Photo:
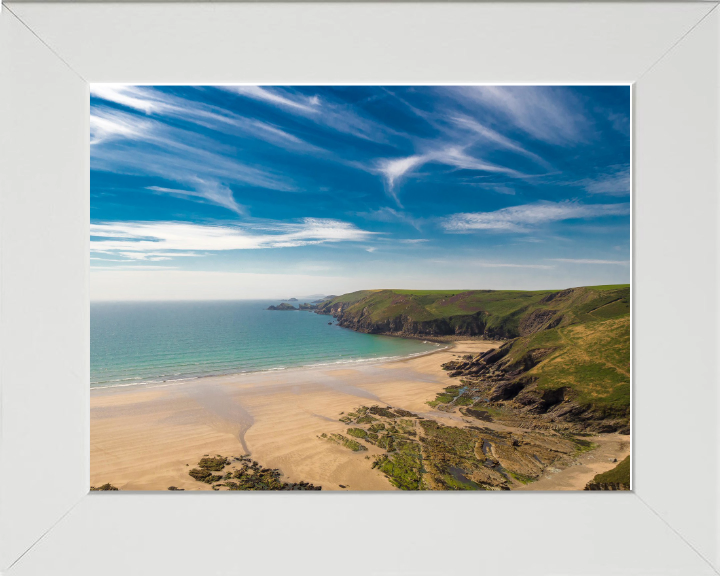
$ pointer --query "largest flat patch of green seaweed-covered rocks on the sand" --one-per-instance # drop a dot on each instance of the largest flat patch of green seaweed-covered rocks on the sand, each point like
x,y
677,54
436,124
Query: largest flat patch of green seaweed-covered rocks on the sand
x,y
417,452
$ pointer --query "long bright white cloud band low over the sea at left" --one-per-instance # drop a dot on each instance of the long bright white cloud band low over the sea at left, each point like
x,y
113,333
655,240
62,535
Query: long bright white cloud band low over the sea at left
x,y
136,240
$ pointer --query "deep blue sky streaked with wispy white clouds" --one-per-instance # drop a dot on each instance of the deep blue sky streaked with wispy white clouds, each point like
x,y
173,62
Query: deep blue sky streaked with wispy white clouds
x,y
201,192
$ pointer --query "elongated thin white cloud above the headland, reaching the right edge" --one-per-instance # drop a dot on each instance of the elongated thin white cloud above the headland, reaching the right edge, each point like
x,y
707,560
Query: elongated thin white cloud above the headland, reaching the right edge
x,y
523,218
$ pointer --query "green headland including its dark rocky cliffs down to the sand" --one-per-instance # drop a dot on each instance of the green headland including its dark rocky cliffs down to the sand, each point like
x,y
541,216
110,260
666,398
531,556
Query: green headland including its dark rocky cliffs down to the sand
x,y
564,365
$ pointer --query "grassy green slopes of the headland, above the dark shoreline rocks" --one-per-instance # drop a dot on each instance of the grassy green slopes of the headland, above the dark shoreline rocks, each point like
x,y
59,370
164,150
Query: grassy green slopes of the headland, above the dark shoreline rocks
x,y
582,335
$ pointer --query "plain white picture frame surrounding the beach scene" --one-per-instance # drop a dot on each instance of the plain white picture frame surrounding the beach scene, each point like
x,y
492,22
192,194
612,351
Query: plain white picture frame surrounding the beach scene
x,y
49,523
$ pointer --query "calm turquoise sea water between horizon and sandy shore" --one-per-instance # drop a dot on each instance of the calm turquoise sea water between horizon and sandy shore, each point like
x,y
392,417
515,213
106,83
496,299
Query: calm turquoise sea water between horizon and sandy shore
x,y
148,342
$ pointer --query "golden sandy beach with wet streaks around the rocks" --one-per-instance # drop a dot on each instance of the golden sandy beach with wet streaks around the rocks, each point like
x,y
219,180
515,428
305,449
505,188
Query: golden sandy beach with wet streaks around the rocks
x,y
147,437
